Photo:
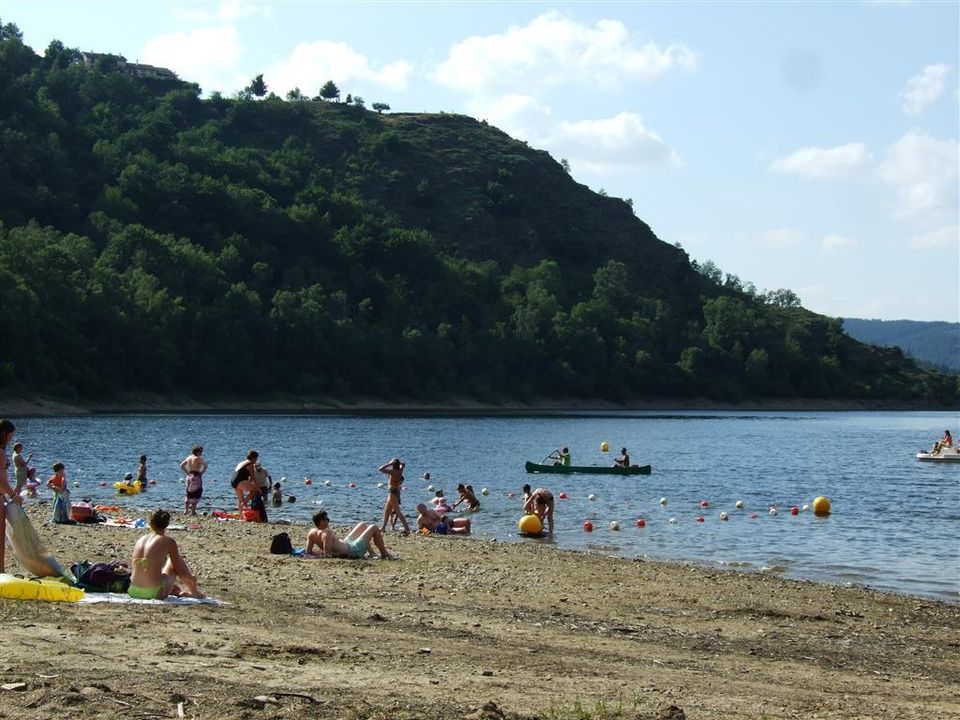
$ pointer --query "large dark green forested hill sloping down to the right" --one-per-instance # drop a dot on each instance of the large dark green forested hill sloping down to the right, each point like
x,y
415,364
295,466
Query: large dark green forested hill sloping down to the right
x,y
155,241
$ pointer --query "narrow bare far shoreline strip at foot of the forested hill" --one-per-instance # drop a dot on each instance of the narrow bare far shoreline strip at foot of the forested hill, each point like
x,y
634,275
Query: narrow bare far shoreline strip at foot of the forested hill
x,y
138,404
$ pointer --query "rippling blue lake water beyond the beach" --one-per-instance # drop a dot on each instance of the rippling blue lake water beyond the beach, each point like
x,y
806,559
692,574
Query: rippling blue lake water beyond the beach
x,y
894,526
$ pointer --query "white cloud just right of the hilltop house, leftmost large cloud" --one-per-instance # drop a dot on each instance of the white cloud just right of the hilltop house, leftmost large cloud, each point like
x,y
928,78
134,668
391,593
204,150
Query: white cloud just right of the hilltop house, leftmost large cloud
x,y
207,56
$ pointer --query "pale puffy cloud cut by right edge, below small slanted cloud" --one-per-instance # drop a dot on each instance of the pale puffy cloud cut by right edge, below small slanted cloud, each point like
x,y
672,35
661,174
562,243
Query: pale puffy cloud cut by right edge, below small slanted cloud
x,y
924,172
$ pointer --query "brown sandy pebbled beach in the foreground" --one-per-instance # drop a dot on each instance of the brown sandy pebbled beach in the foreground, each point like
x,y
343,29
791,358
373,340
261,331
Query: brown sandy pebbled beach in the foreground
x,y
468,628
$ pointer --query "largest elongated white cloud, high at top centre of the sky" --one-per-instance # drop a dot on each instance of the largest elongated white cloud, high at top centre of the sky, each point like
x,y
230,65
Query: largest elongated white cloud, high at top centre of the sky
x,y
553,50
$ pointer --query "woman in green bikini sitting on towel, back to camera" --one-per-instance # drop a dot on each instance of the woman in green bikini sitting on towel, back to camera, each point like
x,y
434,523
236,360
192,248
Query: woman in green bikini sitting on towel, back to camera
x,y
157,565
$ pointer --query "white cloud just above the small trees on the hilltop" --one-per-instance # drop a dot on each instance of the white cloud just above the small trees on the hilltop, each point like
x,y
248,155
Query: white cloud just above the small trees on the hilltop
x,y
310,65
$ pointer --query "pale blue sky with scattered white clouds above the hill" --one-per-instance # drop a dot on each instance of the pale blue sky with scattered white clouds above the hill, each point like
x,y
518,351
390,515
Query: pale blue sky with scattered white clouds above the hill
x,y
809,146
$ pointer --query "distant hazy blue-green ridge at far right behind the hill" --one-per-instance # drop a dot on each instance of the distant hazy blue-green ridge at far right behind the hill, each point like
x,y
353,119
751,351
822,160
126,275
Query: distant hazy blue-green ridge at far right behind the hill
x,y
936,344
